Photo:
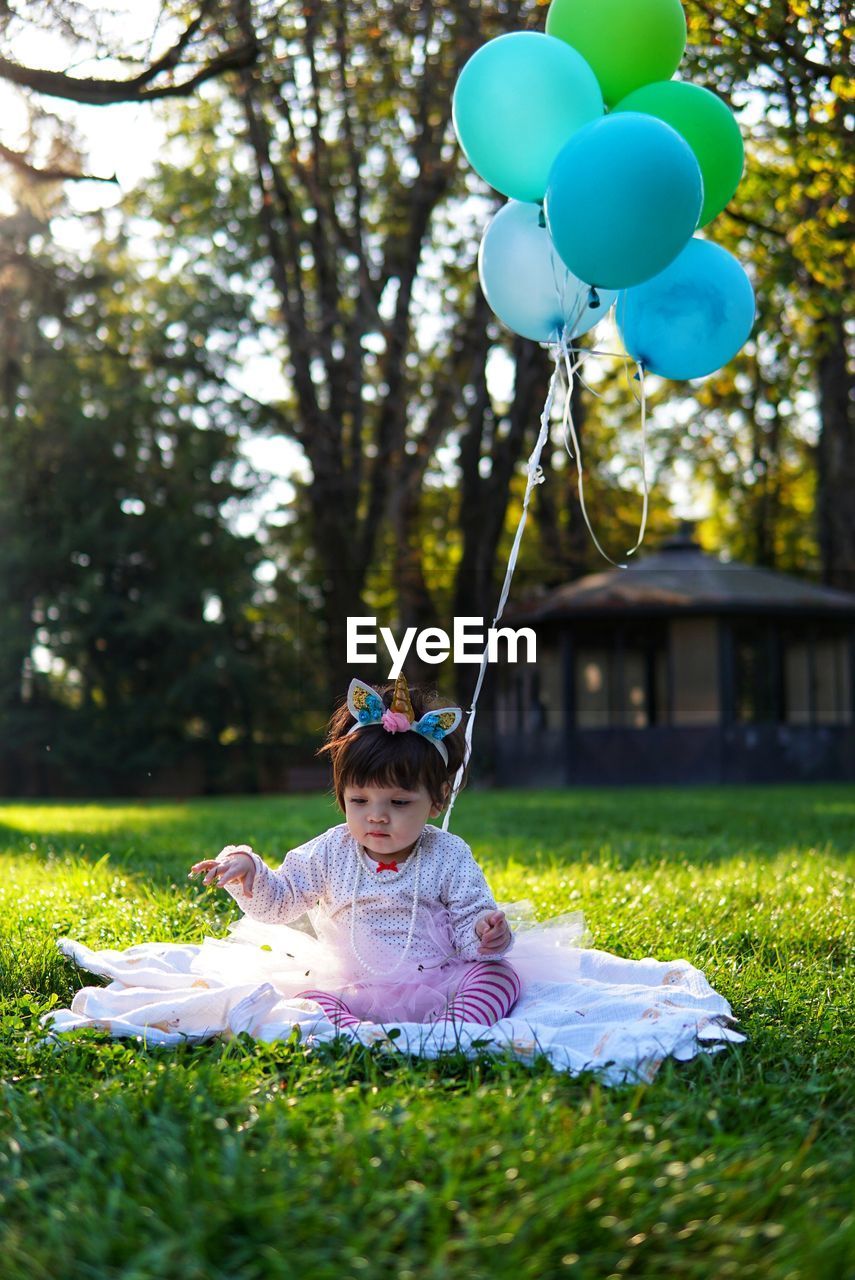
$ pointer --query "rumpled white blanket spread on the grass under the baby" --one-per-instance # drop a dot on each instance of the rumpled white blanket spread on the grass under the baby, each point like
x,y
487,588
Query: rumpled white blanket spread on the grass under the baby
x,y
618,1017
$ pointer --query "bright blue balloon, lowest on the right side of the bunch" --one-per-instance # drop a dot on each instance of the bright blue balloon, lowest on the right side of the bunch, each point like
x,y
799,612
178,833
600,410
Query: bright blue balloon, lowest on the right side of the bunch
x,y
691,319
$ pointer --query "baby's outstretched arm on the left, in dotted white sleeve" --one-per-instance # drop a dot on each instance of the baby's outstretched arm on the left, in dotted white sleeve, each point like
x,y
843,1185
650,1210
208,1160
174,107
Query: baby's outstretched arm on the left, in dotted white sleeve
x,y
284,895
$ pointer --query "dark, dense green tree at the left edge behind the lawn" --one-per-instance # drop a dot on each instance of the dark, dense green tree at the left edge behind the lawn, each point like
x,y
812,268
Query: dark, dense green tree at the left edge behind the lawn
x,y
131,641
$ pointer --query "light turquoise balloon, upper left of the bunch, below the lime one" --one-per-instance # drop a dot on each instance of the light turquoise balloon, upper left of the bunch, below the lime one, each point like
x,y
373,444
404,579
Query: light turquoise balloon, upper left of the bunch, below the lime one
x,y
516,103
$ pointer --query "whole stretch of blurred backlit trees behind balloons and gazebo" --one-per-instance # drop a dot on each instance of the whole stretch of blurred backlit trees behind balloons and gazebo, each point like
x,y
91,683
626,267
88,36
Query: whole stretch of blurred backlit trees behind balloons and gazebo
x,y
300,271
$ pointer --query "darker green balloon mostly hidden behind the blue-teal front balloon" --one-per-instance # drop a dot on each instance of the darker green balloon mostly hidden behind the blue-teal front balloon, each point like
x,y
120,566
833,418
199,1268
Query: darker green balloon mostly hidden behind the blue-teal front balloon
x,y
710,129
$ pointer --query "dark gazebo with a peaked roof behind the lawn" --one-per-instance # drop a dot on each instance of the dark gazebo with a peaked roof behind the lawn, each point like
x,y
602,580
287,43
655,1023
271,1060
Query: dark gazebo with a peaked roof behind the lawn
x,y
682,669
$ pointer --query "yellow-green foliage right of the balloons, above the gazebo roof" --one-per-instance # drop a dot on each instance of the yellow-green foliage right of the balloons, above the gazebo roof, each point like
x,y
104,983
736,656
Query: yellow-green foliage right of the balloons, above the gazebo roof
x,y
753,437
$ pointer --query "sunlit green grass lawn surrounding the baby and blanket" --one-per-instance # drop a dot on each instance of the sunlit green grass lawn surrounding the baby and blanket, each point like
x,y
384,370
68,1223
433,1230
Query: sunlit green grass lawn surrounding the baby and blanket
x,y
266,1162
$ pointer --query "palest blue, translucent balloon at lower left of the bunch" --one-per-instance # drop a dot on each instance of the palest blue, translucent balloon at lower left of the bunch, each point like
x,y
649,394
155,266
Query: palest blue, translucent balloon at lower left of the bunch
x,y
528,285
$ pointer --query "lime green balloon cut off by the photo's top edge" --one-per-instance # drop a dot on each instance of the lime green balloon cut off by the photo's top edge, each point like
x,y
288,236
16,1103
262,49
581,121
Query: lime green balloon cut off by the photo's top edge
x,y
628,43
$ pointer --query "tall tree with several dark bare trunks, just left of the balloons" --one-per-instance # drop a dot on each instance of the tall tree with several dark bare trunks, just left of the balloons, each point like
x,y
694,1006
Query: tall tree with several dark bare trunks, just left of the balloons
x,y
372,223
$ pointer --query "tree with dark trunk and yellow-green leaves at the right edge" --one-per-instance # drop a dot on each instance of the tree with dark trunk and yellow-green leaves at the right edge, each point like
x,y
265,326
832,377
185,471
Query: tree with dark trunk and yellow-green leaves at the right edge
x,y
792,221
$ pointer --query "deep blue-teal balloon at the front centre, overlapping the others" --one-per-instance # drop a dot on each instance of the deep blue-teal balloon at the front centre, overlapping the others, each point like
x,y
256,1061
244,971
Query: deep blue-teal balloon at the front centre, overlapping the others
x,y
624,198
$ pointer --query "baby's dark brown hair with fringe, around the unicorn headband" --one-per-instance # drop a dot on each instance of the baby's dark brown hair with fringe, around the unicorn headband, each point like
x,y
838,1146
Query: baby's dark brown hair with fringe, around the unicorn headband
x,y
373,757
